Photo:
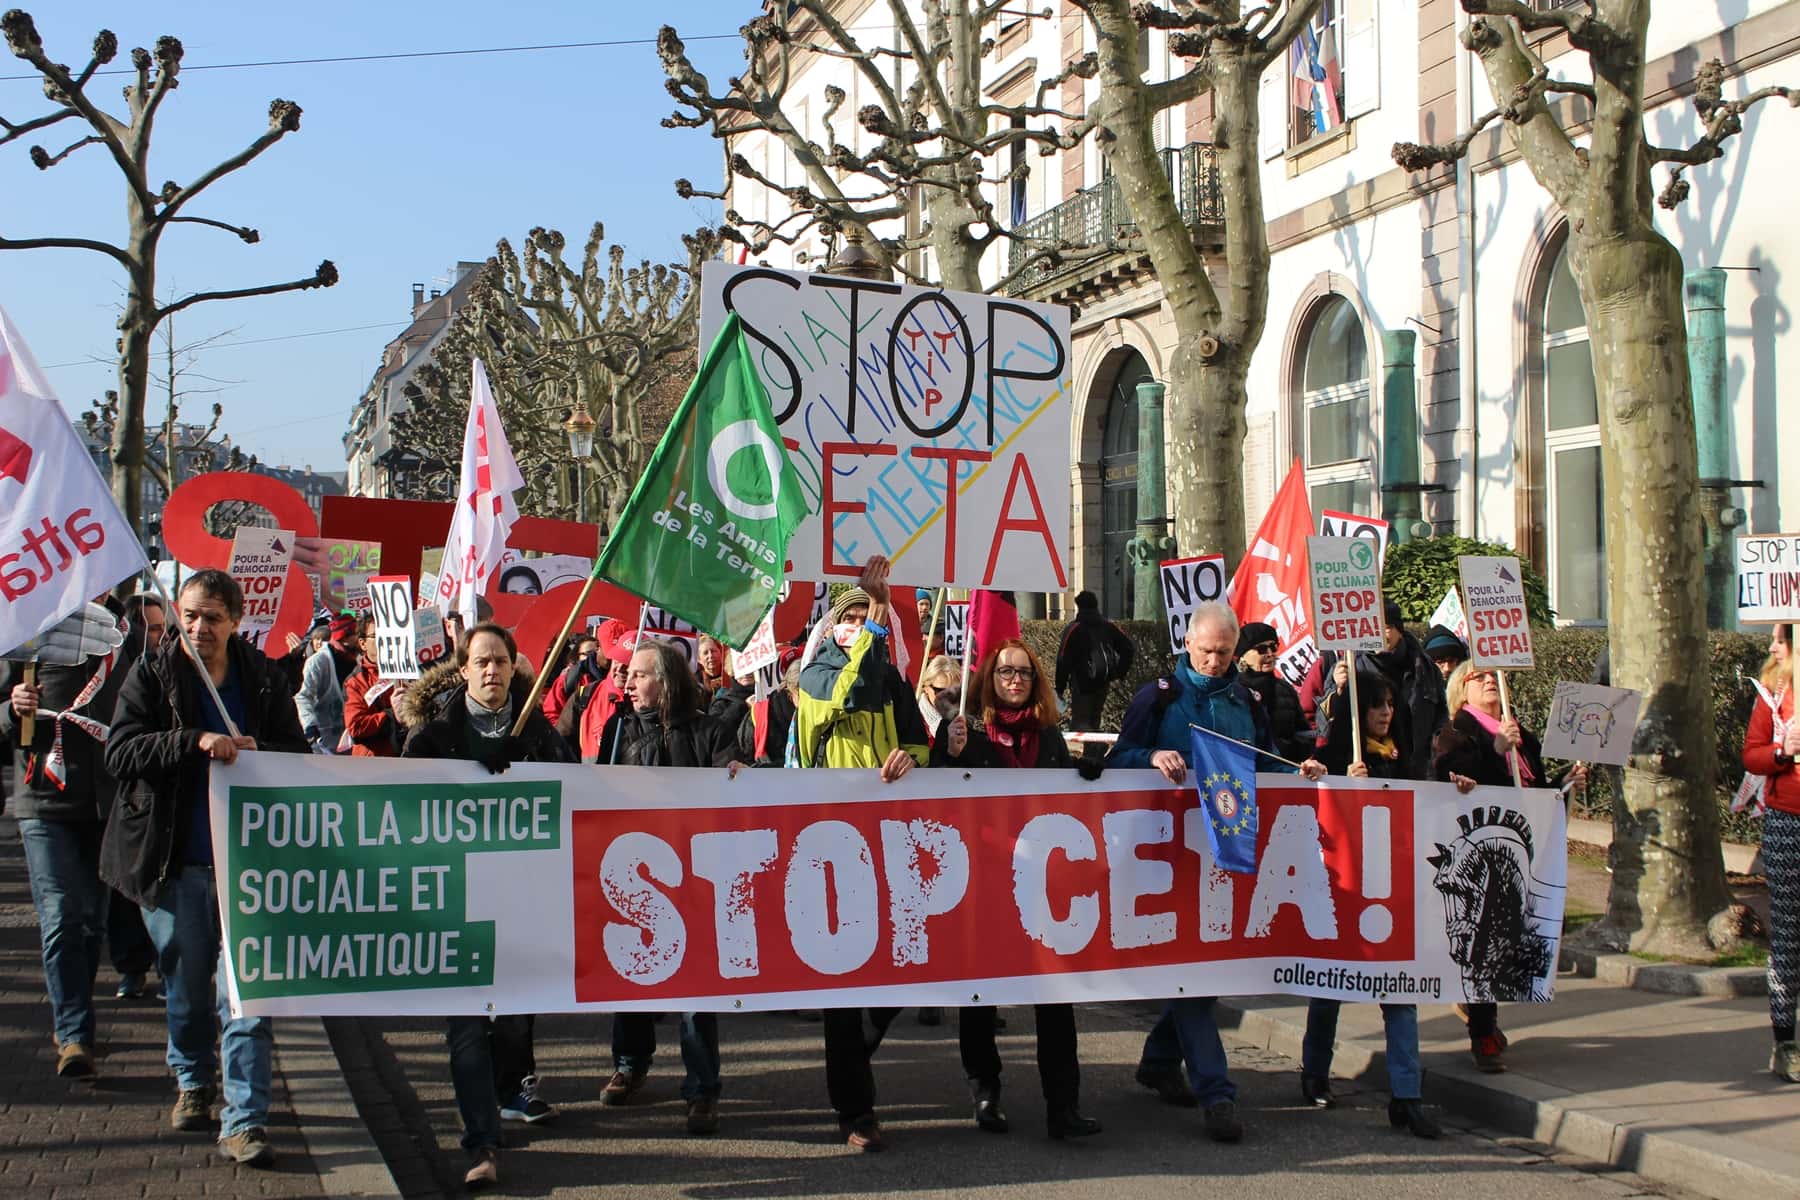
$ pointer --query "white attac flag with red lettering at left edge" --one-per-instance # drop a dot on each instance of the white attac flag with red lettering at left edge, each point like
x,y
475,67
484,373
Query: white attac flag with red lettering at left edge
x,y
62,539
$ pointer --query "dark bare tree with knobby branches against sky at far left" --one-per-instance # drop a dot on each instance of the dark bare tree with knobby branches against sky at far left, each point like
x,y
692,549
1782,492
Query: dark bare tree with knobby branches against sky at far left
x,y
152,210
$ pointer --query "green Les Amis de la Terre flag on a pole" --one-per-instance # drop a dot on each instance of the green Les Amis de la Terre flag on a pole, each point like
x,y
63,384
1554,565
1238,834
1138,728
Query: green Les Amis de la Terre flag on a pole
x,y
706,530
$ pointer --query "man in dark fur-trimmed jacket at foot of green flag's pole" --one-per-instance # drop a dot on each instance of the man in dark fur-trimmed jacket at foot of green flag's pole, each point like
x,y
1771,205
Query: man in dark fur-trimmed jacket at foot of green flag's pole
x,y
474,722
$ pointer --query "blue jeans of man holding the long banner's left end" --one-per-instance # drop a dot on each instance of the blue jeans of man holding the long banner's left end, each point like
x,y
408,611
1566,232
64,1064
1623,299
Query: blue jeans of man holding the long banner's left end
x,y
192,958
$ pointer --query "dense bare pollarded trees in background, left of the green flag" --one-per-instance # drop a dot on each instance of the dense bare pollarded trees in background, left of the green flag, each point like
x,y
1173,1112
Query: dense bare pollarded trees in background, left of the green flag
x,y
600,337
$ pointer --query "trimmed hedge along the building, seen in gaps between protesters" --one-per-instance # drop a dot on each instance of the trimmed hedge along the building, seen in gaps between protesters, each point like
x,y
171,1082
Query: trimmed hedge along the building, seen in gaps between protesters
x,y
1734,661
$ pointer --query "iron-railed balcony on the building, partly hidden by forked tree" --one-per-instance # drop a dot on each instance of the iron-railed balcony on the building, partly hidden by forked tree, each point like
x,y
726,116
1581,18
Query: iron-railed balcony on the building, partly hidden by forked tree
x,y
1099,215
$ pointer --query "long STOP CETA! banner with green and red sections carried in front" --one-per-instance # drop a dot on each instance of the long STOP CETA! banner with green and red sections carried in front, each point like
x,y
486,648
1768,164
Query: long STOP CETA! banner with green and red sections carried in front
x,y
391,886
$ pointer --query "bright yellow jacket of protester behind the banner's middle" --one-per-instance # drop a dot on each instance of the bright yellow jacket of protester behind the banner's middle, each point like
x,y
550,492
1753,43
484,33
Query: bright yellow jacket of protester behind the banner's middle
x,y
854,710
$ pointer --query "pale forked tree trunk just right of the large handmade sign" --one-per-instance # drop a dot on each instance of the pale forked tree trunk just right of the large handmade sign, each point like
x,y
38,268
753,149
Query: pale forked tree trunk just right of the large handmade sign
x,y
1219,321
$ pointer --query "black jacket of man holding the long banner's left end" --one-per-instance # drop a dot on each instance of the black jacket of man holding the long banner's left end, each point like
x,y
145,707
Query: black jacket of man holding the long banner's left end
x,y
154,753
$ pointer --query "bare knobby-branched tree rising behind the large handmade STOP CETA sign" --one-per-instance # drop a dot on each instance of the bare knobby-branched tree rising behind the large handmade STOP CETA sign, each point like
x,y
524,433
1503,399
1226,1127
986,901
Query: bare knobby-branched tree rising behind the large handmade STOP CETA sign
x,y
937,138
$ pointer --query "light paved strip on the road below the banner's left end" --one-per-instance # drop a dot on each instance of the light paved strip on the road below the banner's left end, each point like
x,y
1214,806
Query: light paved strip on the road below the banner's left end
x,y
334,1131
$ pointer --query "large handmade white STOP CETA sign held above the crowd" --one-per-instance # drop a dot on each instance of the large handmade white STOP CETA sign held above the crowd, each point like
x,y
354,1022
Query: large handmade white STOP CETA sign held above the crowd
x,y
906,409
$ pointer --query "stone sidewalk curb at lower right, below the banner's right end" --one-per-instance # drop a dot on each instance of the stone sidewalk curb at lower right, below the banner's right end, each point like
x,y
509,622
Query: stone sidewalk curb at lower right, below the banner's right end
x,y
1704,1163
